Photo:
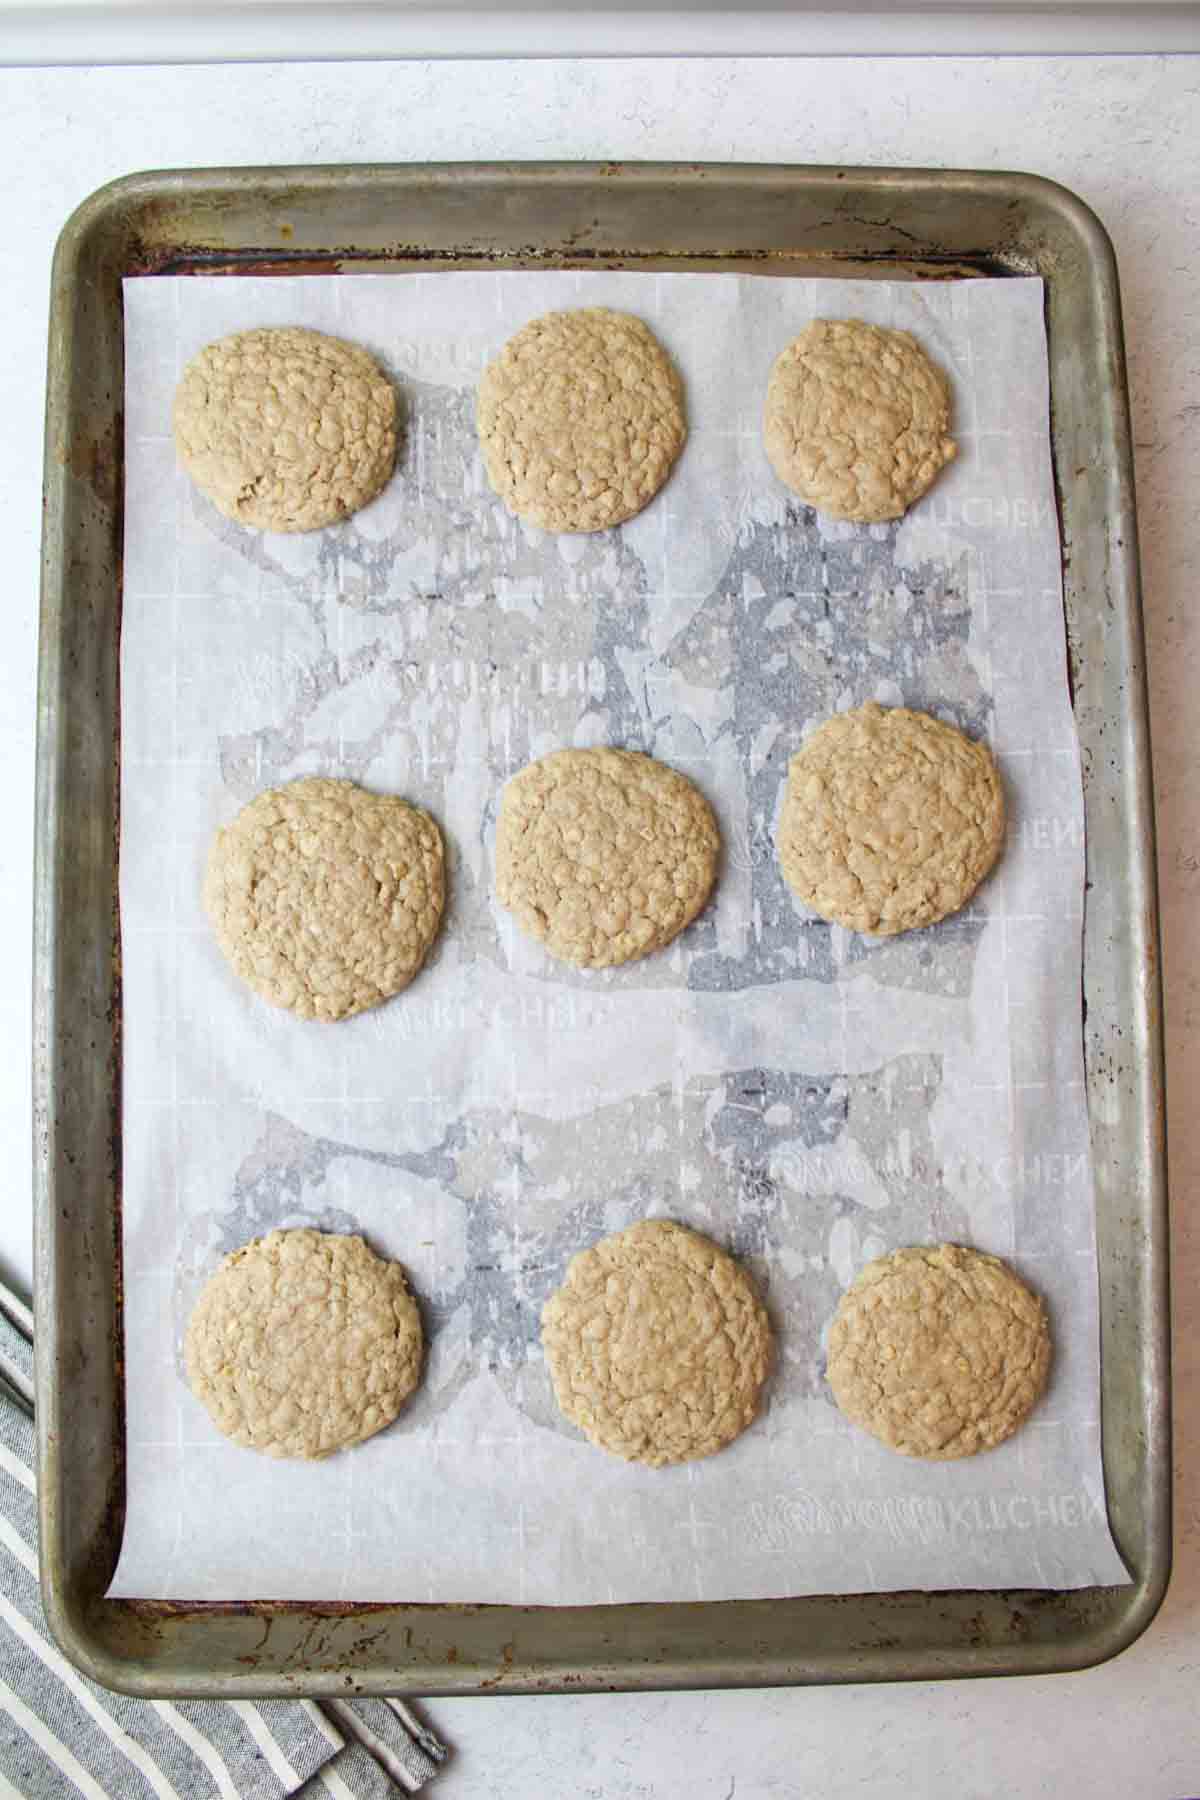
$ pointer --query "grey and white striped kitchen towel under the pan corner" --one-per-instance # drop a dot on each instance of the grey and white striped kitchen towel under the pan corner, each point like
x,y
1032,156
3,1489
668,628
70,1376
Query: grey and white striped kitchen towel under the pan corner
x,y
64,1738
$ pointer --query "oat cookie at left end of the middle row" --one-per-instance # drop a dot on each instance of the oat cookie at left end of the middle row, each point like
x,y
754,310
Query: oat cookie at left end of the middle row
x,y
325,897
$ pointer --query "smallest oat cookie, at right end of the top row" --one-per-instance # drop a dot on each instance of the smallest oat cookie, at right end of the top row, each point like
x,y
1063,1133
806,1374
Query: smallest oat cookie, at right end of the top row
x,y
857,420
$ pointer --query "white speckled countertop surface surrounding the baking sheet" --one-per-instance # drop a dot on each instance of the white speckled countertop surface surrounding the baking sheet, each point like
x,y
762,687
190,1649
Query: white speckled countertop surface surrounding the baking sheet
x,y
1125,134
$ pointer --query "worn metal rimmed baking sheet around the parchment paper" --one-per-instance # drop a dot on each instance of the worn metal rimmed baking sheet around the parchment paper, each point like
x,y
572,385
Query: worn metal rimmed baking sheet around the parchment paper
x,y
789,220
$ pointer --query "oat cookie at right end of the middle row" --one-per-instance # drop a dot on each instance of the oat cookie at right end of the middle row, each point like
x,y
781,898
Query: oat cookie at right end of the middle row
x,y
890,820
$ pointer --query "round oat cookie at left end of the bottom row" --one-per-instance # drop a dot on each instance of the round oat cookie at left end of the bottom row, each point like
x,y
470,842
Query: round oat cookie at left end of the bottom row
x,y
303,1344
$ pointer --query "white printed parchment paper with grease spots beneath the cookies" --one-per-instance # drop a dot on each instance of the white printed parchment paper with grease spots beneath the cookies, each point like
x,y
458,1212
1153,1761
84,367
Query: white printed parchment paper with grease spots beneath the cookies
x,y
809,1097
